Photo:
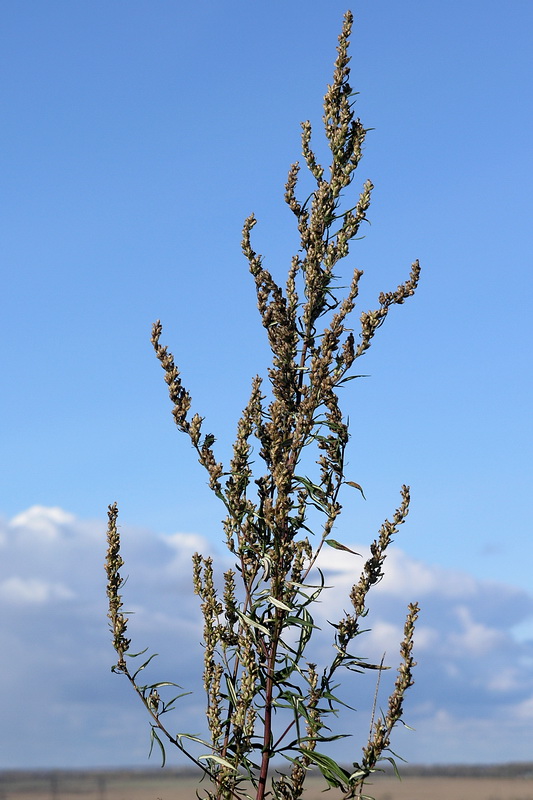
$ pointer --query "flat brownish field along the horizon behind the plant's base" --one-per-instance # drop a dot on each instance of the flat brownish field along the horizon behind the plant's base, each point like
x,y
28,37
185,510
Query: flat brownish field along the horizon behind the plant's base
x,y
165,786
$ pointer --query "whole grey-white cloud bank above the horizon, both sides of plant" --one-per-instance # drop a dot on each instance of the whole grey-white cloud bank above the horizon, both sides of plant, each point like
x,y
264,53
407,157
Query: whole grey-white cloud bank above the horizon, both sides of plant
x,y
62,706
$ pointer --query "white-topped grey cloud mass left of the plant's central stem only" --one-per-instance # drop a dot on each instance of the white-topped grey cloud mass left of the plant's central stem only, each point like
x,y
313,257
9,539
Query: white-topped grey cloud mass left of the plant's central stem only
x,y
56,645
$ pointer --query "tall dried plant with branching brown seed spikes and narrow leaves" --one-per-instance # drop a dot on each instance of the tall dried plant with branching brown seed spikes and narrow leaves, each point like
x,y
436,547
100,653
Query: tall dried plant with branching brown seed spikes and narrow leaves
x,y
264,698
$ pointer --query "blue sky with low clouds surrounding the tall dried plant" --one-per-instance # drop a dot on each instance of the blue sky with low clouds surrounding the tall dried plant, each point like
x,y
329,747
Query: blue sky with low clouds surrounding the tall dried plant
x,y
136,138
